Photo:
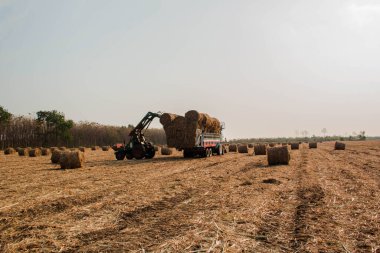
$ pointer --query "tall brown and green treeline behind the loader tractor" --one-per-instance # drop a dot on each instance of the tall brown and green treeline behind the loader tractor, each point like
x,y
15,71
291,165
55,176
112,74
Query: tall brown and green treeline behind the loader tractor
x,y
51,128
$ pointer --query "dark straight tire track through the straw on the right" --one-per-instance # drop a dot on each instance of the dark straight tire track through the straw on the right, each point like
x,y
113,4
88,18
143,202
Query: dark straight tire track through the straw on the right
x,y
310,218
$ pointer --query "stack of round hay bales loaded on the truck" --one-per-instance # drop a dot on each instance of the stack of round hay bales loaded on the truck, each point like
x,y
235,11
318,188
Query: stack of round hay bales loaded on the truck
x,y
181,131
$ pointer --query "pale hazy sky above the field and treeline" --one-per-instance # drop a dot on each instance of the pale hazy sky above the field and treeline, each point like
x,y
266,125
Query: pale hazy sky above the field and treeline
x,y
266,68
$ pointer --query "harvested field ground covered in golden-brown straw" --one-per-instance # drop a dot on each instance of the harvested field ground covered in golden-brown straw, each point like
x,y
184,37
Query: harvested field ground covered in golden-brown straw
x,y
324,201
